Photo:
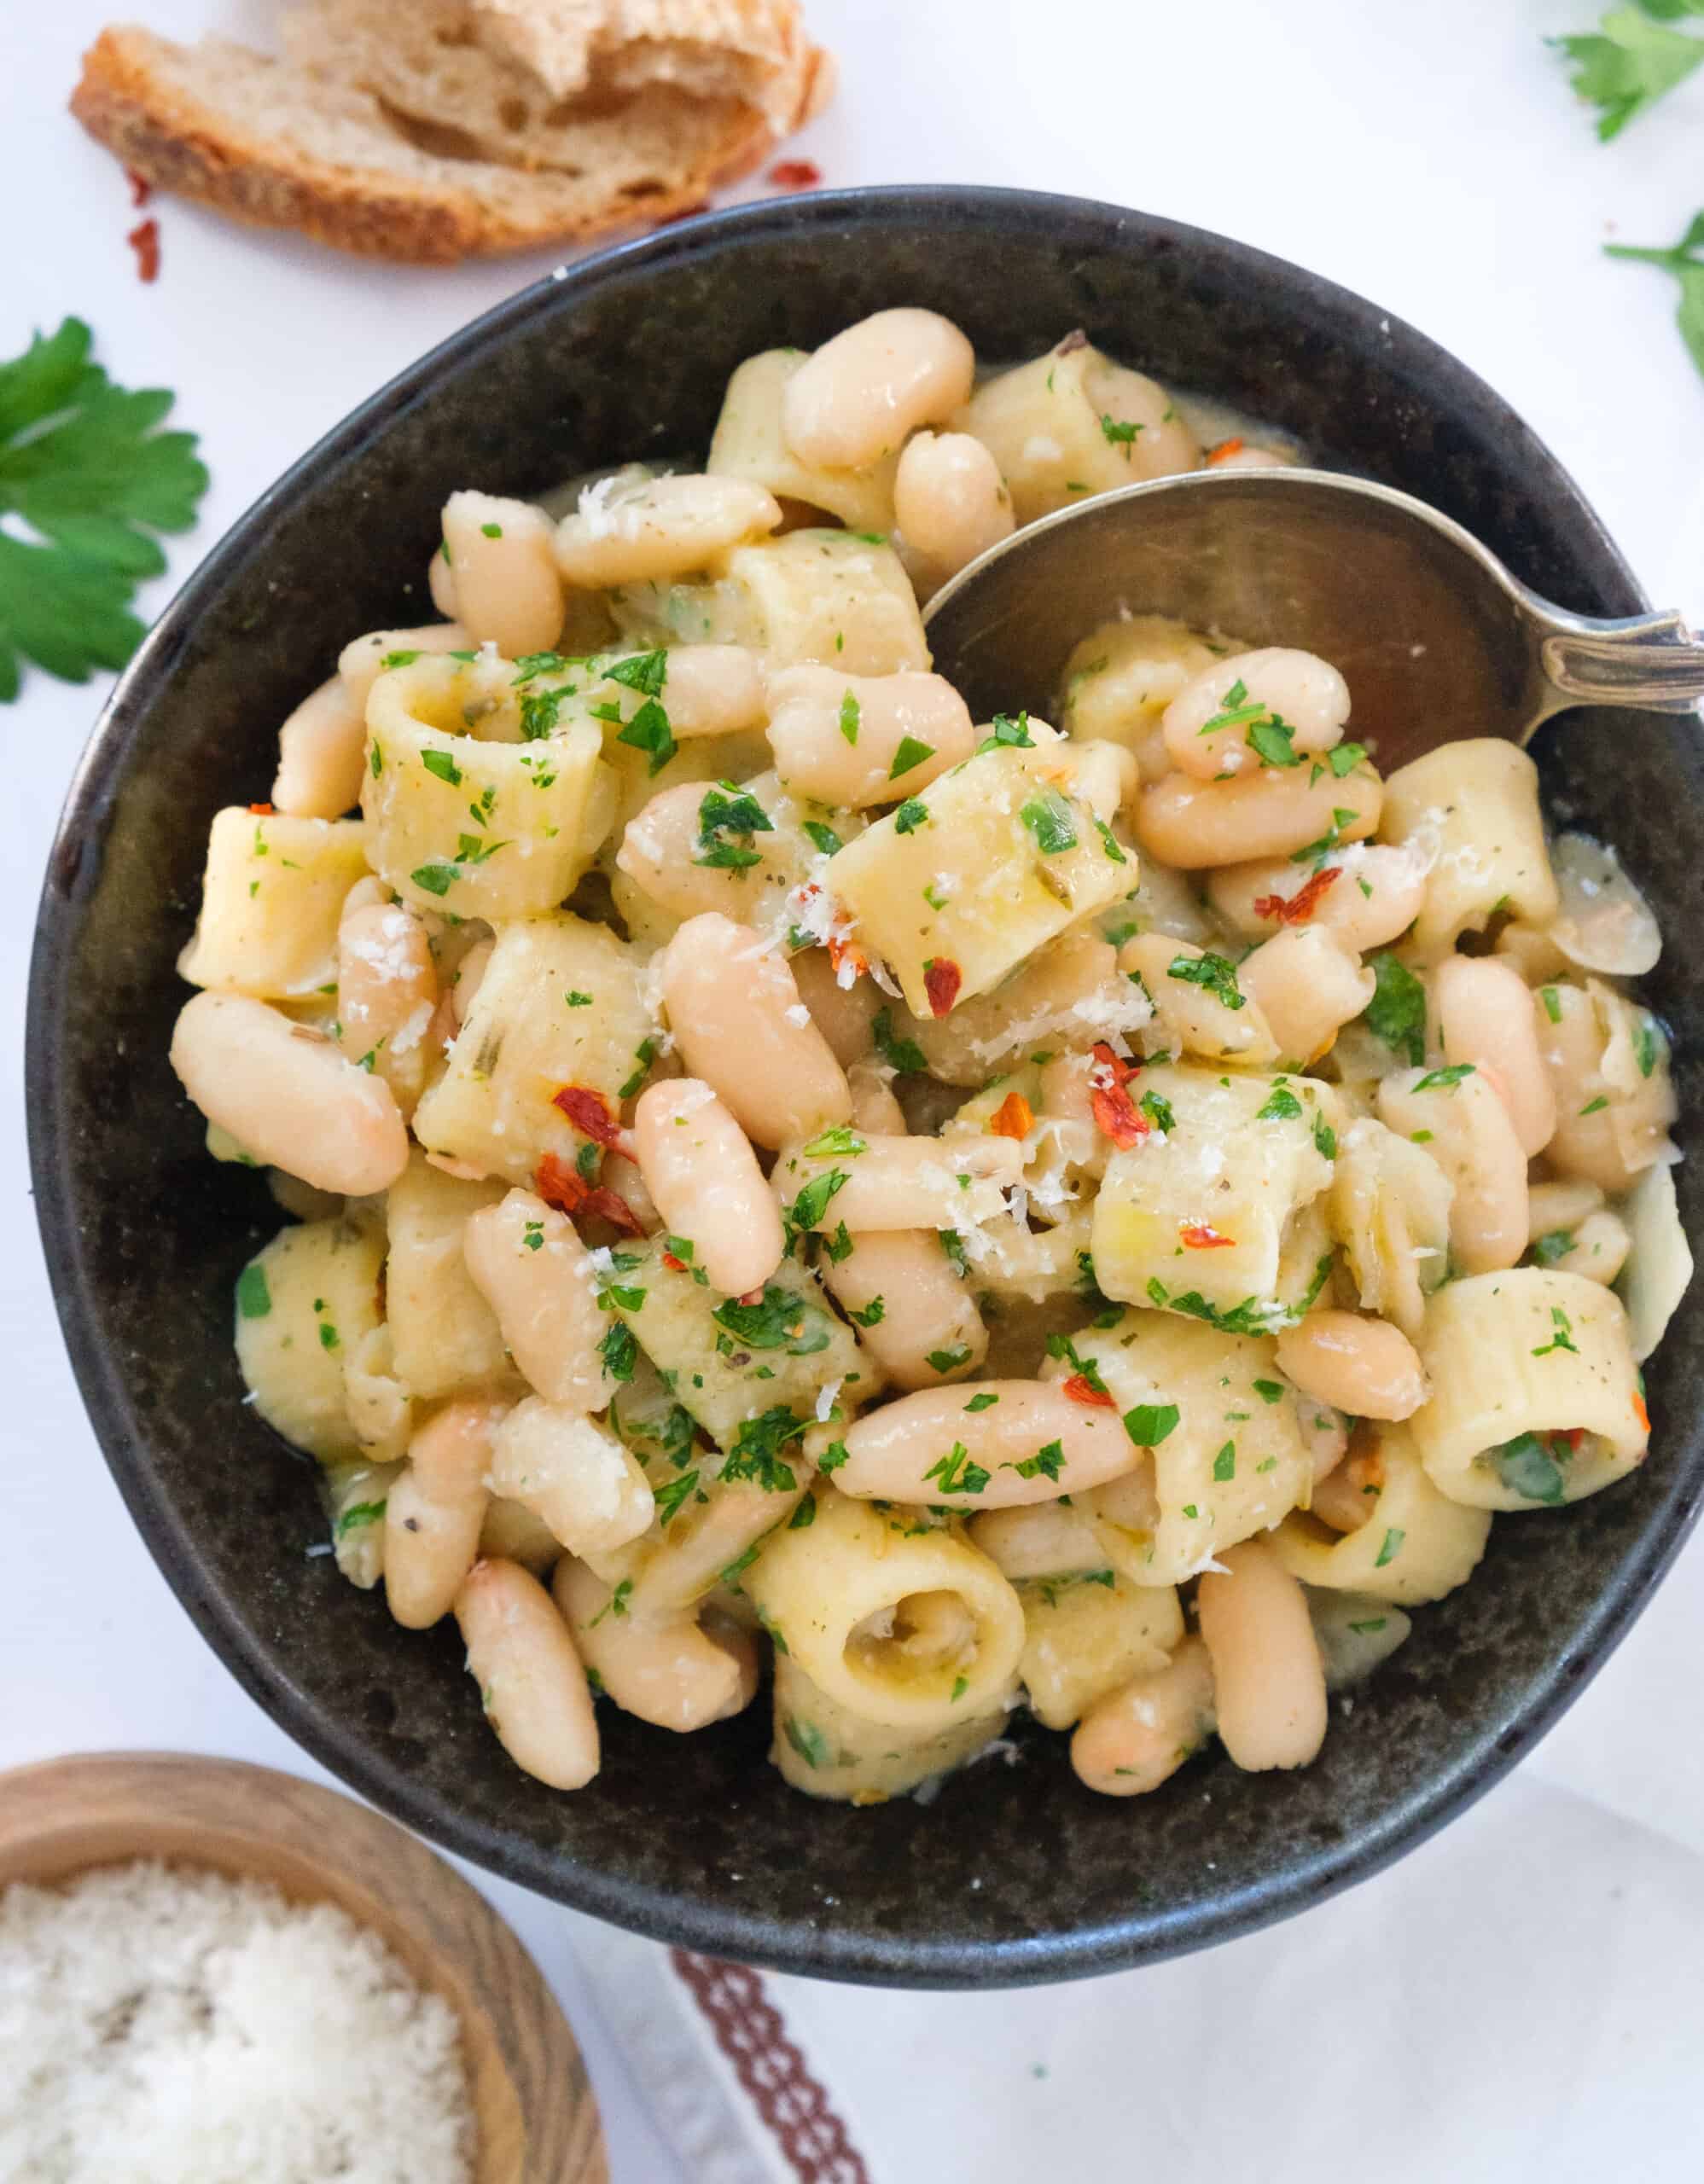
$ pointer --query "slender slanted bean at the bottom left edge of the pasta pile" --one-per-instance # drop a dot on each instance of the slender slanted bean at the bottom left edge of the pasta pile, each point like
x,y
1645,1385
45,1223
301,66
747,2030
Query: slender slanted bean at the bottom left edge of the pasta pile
x,y
530,1676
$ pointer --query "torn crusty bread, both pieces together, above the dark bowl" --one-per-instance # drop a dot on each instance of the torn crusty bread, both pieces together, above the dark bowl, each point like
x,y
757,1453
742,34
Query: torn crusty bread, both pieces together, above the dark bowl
x,y
460,128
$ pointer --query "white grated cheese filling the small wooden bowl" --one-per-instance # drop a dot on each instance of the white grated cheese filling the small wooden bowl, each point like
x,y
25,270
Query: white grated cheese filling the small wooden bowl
x,y
171,2026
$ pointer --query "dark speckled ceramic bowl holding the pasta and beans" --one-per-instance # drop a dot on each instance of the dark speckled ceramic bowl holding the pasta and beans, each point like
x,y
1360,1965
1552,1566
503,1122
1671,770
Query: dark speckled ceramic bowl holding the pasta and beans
x,y
1015,1873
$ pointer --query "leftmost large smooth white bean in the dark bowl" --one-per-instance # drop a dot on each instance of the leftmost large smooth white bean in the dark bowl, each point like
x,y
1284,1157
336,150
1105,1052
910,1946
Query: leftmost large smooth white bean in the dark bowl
x,y
289,1097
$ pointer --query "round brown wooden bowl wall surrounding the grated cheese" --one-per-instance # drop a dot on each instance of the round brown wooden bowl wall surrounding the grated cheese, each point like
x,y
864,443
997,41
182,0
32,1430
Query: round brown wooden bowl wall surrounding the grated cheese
x,y
539,2122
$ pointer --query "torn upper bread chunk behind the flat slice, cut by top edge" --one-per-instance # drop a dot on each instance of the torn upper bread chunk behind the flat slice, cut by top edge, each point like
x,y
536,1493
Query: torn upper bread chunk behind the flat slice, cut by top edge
x,y
449,82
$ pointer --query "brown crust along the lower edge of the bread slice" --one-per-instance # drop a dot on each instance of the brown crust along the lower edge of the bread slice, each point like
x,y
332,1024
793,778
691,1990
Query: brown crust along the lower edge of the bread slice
x,y
438,215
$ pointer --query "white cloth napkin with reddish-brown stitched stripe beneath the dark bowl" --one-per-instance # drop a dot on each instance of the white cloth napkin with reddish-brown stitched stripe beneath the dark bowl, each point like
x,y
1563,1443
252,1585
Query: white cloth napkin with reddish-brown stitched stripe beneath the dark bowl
x,y
1517,2004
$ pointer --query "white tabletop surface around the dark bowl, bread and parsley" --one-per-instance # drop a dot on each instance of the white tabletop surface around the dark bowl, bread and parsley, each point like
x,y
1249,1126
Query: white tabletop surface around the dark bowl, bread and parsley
x,y
1428,158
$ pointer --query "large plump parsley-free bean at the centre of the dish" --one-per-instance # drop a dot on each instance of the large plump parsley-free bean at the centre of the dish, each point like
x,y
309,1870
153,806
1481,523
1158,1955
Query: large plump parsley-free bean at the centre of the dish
x,y
742,1025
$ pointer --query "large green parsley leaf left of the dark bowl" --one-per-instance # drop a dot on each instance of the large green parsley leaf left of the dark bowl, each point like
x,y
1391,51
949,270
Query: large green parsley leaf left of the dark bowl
x,y
84,466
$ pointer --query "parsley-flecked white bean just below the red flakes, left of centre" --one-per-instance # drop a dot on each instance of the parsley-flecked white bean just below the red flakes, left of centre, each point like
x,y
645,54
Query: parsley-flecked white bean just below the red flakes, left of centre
x,y
536,1274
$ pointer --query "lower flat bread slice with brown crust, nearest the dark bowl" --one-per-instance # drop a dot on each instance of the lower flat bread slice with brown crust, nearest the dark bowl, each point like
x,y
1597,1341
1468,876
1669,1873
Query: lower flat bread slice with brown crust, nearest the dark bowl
x,y
289,147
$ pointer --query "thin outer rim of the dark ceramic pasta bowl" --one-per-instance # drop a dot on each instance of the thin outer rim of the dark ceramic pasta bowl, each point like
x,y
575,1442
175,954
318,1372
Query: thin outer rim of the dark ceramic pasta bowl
x,y
722,1927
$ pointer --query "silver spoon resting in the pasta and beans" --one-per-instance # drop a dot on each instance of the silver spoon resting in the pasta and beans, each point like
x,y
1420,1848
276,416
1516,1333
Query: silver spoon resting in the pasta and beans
x,y
1434,637
